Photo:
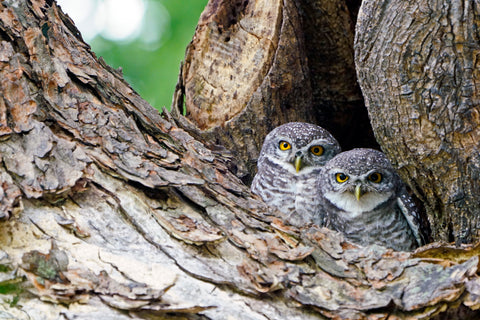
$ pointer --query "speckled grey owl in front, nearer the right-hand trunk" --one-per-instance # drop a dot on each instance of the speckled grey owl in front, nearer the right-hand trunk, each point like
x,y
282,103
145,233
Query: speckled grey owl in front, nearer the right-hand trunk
x,y
364,198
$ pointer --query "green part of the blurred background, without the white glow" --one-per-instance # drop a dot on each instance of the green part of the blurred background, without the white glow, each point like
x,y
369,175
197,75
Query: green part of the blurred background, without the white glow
x,y
154,73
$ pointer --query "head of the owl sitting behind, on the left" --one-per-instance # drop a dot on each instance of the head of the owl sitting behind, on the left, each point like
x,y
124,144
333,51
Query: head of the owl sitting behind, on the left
x,y
299,147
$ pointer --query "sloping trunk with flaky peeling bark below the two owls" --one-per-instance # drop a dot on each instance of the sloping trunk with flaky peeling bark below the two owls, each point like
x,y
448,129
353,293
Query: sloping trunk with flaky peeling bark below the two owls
x,y
117,213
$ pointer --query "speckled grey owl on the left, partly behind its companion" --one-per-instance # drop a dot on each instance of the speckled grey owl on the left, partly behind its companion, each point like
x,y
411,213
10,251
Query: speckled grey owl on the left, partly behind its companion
x,y
291,158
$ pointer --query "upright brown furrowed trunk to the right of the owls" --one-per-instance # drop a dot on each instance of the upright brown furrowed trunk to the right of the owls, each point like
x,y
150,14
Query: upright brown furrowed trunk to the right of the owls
x,y
418,68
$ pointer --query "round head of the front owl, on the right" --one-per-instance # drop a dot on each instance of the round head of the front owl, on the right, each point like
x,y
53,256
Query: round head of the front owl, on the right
x,y
359,180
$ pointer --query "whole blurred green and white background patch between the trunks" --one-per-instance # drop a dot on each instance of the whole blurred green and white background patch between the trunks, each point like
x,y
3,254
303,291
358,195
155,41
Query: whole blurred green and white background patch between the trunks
x,y
150,58
